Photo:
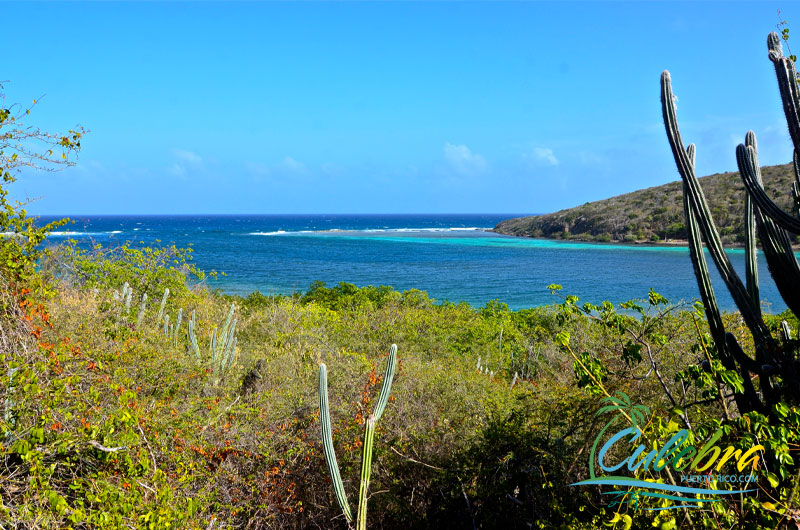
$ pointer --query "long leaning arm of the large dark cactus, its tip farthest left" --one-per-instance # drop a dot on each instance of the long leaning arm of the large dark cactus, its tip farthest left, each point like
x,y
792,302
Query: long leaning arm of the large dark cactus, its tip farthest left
x,y
750,313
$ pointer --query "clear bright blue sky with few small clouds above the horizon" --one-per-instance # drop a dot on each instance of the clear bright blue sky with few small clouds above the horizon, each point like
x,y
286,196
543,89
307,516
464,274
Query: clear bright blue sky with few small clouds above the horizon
x,y
380,107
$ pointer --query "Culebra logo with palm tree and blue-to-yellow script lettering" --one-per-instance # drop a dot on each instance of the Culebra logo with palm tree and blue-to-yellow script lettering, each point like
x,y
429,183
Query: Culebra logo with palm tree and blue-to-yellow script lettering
x,y
679,462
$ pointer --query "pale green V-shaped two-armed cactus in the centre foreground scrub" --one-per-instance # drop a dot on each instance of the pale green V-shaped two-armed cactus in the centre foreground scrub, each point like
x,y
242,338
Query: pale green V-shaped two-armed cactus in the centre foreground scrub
x,y
369,436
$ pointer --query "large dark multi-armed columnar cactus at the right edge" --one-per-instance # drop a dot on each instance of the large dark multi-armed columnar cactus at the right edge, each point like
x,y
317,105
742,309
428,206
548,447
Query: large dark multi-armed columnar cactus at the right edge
x,y
775,364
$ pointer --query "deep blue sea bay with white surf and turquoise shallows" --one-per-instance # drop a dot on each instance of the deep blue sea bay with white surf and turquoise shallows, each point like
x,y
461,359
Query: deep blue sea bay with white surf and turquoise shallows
x,y
452,257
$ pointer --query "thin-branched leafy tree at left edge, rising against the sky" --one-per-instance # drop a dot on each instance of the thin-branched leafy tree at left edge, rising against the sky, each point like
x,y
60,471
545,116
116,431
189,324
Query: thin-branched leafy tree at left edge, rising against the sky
x,y
24,146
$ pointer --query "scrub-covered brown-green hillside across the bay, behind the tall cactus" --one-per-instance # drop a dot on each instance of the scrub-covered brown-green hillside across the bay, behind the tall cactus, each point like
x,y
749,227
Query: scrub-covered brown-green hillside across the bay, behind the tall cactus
x,y
654,214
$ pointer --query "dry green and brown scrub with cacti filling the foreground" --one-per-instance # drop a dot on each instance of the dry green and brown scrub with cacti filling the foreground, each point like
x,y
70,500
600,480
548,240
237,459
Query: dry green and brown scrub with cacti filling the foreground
x,y
115,415
